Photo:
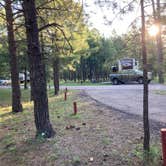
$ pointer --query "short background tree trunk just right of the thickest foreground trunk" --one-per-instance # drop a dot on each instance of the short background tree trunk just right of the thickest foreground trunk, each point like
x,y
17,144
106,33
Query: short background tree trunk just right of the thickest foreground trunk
x,y
56,75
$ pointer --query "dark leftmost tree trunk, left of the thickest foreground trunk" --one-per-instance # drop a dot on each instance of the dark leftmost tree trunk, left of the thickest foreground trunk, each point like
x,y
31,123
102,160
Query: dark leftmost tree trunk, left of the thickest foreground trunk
x,y
16,93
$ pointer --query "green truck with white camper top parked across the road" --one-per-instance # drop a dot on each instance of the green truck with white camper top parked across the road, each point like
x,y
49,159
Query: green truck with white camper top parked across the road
x,y
127,71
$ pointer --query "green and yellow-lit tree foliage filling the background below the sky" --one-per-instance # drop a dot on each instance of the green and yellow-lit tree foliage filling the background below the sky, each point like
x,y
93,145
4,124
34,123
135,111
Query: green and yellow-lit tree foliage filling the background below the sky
x,y
78,47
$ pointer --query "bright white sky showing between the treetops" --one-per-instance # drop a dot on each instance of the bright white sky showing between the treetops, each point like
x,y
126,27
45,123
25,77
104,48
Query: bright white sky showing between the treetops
x,y
96,20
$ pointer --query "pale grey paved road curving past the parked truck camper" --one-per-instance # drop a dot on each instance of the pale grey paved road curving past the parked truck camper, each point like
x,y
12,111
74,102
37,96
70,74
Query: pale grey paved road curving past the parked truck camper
x,y
129,98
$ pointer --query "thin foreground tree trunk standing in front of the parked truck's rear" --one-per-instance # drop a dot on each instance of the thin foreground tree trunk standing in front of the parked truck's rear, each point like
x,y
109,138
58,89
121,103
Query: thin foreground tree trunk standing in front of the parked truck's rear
x,y
145,94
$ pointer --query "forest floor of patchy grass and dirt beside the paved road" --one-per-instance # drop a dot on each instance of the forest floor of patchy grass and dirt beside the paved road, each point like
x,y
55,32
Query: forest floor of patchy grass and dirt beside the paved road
x,y
96,136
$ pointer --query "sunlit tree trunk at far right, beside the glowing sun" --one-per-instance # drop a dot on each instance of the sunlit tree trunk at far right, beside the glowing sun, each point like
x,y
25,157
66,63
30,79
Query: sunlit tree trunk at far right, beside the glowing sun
x,y
159,45
